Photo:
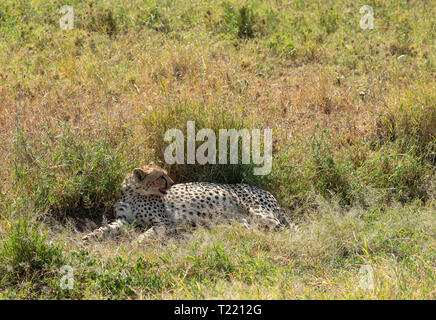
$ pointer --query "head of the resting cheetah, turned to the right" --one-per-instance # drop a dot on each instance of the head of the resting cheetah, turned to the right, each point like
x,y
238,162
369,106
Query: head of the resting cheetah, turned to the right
x,y
150,180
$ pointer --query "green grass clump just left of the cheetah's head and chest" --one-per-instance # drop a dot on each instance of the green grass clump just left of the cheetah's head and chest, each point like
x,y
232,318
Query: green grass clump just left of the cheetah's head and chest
x,y
70,174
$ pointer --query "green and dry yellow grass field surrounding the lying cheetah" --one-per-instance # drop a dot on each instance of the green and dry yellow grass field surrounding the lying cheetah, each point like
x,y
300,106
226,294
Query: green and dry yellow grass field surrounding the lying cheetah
x,y
353,114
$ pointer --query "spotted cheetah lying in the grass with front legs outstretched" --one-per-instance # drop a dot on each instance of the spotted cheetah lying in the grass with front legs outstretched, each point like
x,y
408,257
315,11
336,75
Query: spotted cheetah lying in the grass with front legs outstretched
x,y
150,200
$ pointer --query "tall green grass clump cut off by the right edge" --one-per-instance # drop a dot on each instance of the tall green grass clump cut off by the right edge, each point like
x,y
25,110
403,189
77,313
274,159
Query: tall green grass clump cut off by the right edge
x,y
405,156
